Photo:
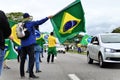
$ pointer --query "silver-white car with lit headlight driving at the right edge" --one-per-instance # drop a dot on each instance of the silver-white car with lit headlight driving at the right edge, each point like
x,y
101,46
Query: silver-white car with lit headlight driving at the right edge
x,y
104,48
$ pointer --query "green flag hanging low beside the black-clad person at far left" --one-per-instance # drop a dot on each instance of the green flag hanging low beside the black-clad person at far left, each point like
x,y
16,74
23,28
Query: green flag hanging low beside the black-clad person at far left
x,y
9,49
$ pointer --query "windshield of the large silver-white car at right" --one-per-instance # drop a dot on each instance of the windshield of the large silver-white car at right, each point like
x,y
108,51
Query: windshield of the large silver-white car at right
x,y
110,38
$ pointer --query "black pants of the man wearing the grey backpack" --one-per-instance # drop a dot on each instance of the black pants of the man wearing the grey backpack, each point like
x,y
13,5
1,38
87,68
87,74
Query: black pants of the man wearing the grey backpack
x,y
30,51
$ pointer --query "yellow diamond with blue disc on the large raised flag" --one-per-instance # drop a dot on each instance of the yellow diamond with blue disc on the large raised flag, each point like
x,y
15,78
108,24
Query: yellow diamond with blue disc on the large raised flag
x,y
68,23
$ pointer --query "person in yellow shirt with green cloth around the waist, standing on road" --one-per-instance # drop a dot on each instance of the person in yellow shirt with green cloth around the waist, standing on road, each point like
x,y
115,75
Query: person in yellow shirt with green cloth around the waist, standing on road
x,y
51,47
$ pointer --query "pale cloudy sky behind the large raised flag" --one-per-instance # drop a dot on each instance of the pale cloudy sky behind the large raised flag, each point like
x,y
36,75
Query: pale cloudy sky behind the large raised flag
x,y
100,15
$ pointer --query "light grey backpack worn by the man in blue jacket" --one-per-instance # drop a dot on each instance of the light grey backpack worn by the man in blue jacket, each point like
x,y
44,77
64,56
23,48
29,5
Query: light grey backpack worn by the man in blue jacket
x,y
21,31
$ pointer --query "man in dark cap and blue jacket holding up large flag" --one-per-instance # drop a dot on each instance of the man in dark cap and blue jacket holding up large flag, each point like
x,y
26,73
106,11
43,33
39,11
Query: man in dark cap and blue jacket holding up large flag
x,y
27,45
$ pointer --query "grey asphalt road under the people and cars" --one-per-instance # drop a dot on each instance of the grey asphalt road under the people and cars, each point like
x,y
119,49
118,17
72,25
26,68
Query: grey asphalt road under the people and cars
x,y
66,67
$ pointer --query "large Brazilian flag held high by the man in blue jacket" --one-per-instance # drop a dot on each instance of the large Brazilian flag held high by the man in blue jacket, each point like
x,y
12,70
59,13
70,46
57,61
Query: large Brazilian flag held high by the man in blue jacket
x,y
69,21
